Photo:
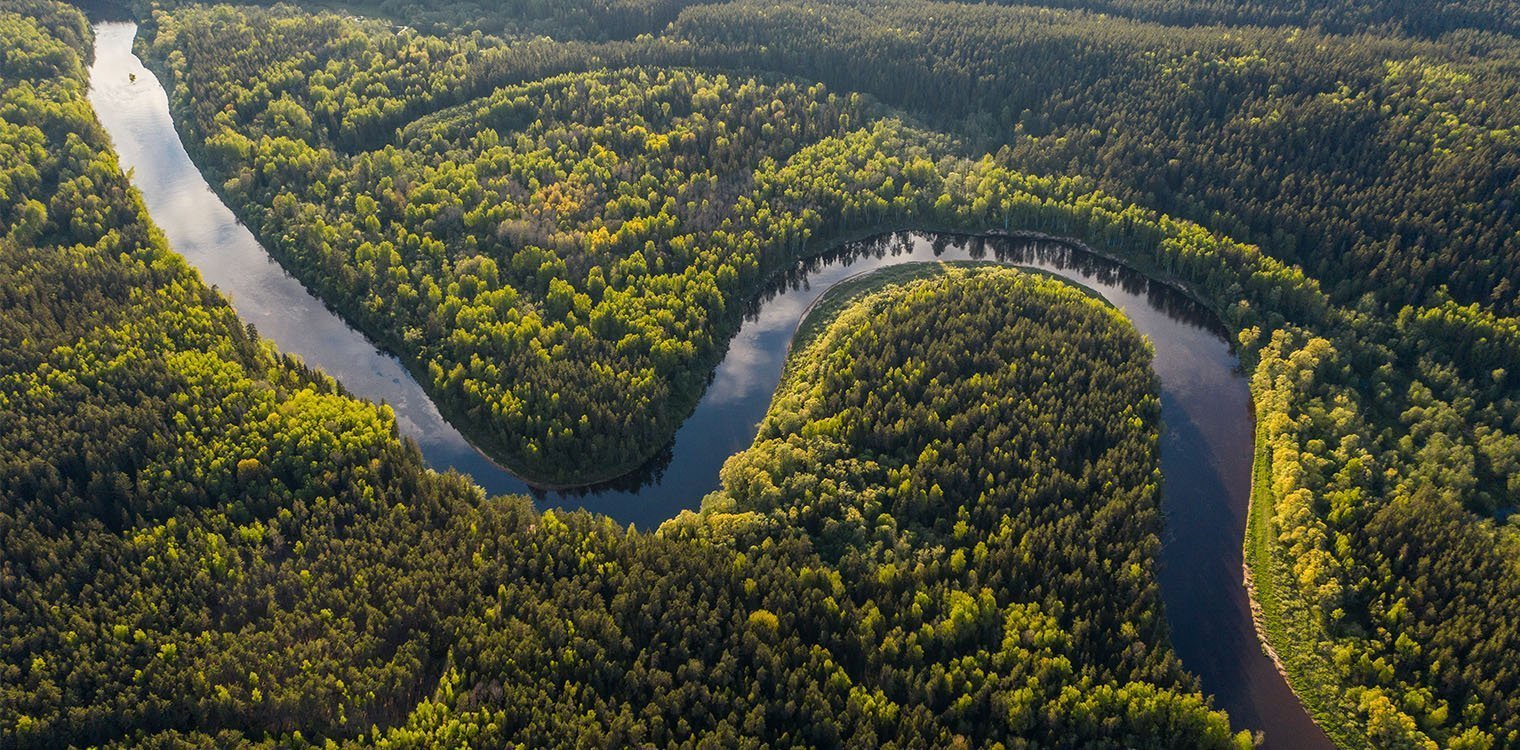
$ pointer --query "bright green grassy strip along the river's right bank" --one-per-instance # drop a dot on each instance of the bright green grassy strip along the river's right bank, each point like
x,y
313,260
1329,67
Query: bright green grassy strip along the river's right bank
x,y
1288,626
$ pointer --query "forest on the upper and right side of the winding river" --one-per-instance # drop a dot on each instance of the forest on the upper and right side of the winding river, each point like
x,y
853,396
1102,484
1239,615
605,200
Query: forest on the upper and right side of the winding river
x,y
1384,360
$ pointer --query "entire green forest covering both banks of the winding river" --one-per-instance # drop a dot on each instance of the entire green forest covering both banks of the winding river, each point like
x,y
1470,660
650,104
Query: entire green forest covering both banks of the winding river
x,y
557,212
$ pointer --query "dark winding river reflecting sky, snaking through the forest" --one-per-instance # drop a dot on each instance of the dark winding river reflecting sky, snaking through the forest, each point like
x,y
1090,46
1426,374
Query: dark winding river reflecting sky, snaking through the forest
x,y
1206,445
